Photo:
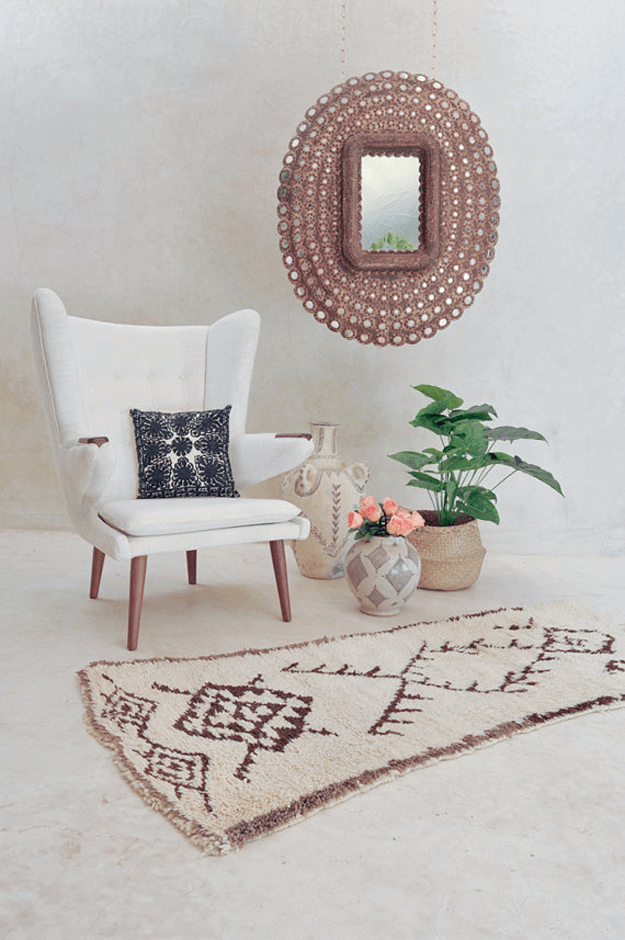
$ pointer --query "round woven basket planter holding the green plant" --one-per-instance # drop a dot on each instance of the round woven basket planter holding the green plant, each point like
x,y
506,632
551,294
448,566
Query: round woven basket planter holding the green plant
x,y
451,556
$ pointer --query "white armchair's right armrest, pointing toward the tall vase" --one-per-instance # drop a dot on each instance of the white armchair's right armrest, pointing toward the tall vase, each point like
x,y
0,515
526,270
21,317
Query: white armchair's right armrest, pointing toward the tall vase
x,y
258,457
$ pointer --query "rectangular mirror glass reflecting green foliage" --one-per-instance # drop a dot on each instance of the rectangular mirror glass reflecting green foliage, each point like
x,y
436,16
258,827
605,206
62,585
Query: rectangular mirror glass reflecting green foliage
x,y
390,189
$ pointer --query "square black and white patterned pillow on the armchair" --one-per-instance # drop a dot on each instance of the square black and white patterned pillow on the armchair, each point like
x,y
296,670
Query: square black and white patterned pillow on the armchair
x,y
184,453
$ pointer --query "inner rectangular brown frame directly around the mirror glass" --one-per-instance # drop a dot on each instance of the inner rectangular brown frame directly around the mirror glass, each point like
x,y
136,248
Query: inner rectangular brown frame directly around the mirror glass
x,y
391,144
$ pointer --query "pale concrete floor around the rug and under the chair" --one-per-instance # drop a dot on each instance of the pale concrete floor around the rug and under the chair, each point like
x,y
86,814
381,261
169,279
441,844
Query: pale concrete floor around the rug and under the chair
x,y
520,841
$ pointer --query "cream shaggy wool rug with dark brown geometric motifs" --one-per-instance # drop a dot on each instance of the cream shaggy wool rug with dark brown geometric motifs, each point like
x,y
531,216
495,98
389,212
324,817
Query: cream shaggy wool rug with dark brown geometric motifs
x,y
232,747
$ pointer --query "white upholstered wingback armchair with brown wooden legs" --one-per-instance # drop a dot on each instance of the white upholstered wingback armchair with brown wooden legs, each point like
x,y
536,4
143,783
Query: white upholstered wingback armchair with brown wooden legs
x,y
91,374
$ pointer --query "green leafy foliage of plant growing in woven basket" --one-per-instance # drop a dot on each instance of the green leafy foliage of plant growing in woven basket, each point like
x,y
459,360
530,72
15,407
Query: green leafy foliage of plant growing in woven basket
x,y
454,474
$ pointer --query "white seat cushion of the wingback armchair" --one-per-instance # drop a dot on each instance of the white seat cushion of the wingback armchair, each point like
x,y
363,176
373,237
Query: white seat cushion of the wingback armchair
x,y
146,517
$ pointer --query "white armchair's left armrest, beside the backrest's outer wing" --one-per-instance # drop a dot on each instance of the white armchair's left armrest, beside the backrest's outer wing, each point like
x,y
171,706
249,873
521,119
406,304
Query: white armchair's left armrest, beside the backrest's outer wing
x,y
87,466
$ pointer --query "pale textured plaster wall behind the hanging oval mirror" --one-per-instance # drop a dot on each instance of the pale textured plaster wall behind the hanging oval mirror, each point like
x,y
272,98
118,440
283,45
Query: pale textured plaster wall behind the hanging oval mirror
x,y
140,150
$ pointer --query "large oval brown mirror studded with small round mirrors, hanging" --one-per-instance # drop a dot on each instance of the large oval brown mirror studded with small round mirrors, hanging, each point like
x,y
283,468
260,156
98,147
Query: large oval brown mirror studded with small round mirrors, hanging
x,y
388,208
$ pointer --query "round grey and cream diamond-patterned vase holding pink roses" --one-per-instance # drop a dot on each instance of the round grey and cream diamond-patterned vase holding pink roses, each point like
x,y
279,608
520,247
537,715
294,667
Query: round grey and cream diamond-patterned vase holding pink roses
x,y
382,572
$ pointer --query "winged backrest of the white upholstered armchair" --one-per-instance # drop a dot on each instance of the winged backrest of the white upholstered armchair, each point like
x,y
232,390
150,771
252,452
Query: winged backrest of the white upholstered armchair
x,y
91,374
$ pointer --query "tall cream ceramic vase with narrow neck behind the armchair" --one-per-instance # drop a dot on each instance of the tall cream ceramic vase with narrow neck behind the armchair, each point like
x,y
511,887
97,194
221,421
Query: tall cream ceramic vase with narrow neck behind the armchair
x,y
325,489
